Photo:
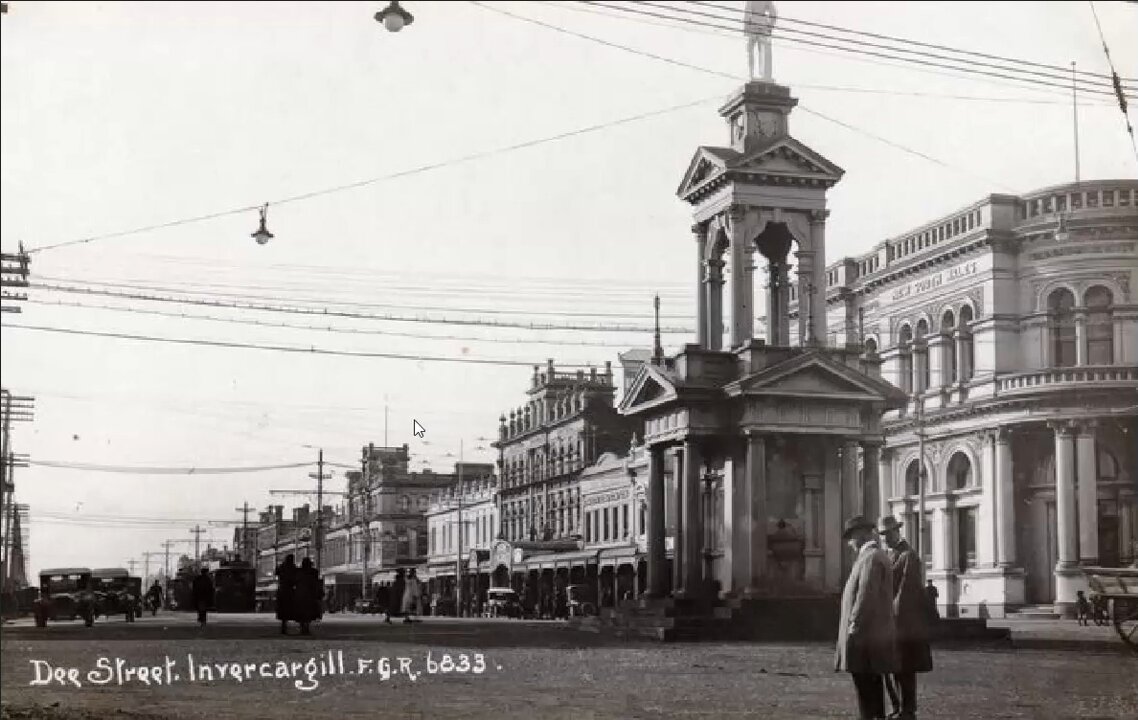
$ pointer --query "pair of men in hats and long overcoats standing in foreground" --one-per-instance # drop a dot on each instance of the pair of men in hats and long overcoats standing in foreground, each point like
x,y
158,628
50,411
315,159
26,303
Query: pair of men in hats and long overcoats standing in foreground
x,y
884,636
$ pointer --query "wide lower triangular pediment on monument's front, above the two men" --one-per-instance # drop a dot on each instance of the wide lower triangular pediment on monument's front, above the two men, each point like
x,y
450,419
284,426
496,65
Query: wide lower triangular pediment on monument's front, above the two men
x,y
817,376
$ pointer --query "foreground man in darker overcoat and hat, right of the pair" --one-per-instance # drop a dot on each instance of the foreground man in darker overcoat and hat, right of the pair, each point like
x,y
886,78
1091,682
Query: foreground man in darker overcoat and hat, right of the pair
x,y
911,618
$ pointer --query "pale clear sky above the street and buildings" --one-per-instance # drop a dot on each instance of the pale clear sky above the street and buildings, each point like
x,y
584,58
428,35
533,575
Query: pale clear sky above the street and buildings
x,y
125,115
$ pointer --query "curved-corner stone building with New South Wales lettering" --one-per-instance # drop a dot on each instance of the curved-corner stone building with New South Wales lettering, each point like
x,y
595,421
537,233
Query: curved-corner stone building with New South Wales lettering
x,y
1012,327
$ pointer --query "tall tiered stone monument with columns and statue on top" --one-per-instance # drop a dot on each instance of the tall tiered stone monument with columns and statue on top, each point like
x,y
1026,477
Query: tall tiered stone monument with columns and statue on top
x,y
776,438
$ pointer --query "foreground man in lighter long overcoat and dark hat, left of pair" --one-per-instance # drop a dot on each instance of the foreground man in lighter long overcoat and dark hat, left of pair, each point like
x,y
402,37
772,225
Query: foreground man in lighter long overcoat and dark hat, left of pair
x,y
865,632
